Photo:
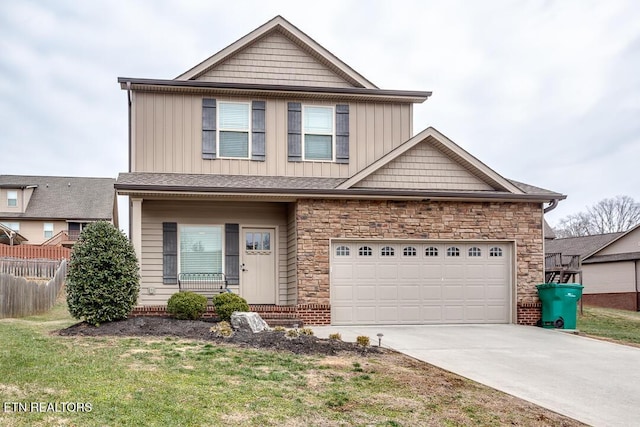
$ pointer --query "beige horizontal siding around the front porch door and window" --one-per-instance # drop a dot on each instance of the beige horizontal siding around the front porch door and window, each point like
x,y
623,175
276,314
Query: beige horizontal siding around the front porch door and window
x,y
250,214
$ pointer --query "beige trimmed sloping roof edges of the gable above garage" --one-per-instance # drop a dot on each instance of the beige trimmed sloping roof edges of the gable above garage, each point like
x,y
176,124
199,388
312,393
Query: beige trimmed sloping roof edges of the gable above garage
x,y
433,137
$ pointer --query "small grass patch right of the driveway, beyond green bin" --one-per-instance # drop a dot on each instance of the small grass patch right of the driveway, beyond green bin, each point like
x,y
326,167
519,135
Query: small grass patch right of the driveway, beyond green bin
x,y
617,325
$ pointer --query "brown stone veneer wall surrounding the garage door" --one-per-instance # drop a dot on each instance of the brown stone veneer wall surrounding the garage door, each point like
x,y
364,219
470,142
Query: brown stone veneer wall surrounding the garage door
x,y
319,220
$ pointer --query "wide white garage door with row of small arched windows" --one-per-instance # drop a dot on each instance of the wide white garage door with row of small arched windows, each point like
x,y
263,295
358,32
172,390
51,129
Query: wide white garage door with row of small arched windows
x,y
420,283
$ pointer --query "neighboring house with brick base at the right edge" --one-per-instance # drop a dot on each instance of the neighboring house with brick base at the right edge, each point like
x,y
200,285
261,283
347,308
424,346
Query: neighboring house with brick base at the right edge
x,y
610,267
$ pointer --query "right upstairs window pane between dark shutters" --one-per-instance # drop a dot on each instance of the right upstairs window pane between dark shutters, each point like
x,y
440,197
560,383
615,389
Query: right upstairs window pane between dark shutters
x,y
318,133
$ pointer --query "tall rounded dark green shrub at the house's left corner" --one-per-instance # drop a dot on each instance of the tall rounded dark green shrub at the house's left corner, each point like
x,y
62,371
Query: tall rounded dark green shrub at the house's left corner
x,y
102,281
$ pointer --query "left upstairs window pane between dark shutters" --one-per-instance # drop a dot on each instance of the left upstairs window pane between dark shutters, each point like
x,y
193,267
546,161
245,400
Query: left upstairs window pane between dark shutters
x,y
233,130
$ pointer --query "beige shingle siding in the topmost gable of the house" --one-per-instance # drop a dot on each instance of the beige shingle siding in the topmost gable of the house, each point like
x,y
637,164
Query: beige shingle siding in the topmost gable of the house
x,y
274,60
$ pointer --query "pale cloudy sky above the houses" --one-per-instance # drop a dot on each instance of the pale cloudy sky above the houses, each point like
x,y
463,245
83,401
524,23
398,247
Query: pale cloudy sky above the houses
x,y
544,92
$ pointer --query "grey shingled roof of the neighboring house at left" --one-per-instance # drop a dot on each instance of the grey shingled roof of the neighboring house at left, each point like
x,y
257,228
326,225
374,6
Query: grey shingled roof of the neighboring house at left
x,y
64,198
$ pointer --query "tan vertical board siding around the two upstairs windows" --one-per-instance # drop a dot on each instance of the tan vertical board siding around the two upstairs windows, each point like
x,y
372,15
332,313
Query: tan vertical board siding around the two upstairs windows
x,y
167,137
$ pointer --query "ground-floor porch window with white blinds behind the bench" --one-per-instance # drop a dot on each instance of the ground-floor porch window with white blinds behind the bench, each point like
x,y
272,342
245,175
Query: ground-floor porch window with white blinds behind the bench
x,y
201,248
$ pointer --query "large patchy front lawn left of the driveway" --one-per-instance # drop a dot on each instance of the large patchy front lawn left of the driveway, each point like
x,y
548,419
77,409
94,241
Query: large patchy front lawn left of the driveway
x,y
171,382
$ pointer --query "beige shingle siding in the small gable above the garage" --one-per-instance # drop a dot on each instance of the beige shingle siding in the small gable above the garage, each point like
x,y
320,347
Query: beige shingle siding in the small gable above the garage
x,y
424,166
